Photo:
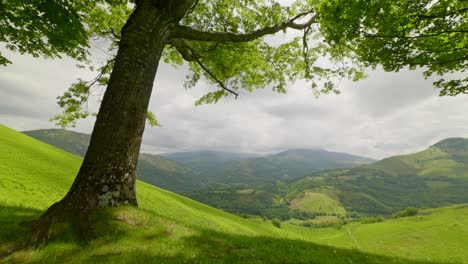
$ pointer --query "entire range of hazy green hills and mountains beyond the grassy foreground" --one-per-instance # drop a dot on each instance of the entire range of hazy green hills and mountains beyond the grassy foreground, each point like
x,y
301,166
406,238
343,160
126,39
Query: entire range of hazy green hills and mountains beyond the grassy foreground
x,y
308,181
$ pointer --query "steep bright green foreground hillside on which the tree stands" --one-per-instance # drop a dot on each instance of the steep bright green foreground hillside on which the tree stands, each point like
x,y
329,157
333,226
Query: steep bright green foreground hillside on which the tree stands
x,y
167,228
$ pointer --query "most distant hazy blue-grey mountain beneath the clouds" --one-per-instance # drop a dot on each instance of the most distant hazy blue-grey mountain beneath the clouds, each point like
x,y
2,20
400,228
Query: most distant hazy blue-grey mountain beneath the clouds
x,y
244,168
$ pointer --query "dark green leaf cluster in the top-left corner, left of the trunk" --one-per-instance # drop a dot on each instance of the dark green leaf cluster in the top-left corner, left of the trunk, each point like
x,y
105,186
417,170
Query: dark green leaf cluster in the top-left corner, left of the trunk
x,y
44,28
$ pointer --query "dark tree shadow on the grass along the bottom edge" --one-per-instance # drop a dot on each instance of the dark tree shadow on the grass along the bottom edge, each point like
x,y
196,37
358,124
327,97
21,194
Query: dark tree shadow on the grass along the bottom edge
x,y
214,247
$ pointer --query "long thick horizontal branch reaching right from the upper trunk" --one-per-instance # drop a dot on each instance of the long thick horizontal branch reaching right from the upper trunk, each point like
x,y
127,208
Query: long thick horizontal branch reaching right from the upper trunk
x,y
188,33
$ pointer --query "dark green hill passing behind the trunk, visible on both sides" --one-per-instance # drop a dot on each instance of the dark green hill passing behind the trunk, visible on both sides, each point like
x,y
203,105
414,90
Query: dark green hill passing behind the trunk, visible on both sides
x,y
153,169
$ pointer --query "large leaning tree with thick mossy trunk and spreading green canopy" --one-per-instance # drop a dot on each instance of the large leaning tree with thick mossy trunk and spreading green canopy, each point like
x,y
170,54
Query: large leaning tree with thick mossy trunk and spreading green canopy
x,y
226,43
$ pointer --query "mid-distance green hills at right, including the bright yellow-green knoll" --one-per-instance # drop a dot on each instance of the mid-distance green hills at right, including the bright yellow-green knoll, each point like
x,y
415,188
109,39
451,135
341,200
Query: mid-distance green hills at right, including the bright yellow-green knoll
x,y
434,177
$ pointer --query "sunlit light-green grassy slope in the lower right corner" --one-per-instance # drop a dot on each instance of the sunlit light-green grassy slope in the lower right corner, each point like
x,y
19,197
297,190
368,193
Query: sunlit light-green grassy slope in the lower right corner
x,y
435,234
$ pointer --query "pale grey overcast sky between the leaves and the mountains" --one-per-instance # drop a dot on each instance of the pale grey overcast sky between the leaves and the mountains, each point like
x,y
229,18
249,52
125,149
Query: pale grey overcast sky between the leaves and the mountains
x,y
386,114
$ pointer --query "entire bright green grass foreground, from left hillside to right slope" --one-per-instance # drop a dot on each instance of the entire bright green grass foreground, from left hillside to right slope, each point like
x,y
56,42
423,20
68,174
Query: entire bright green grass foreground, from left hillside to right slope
x,y
169,228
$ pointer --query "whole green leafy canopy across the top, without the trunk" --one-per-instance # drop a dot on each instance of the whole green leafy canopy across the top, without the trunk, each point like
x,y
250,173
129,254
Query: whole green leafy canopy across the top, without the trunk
x,y
249,44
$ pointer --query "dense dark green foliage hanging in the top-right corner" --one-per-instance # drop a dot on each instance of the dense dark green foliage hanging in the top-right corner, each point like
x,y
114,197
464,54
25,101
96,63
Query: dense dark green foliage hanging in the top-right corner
x,y
395,34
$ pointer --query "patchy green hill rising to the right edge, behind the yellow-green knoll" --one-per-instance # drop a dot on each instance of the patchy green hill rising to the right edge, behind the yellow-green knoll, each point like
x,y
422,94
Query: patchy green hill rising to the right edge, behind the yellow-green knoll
x,y
434,177
